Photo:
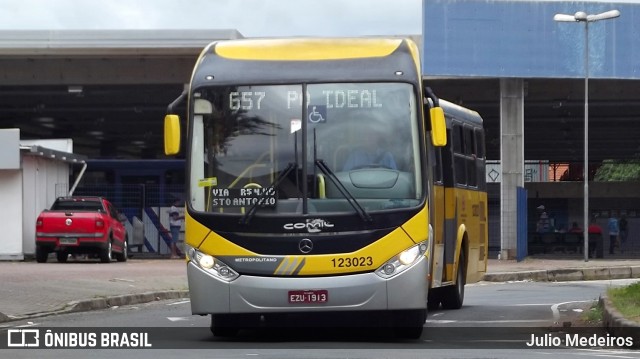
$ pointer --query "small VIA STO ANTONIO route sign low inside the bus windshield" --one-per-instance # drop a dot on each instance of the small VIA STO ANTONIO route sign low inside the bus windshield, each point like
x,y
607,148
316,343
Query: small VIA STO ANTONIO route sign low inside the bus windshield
x,y
243,197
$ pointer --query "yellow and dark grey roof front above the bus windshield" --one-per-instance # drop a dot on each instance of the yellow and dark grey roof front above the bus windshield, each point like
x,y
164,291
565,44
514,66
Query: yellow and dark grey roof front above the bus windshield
x,y
311,60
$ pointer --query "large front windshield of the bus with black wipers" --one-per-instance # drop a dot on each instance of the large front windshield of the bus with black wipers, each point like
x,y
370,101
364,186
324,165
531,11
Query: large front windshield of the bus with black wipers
x,y
305,147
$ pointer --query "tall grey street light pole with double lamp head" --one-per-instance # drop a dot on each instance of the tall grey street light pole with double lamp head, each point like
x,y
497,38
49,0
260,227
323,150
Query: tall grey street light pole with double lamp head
x,y
582,16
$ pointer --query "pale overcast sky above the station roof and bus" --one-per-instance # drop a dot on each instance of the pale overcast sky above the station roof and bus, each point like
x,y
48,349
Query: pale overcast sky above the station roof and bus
x,y
253,18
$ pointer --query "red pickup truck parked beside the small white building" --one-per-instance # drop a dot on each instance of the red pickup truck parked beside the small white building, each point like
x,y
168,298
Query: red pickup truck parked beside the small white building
x,y
81,225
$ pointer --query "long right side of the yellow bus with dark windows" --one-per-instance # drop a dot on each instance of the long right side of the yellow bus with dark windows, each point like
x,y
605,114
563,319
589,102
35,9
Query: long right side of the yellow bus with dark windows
x,y
459,208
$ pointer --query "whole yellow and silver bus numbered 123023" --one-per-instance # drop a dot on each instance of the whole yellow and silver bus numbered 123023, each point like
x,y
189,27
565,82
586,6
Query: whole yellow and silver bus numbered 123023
x,y
311,180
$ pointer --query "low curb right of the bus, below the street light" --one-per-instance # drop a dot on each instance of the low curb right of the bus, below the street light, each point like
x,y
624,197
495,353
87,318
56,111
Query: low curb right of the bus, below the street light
x,y
568,274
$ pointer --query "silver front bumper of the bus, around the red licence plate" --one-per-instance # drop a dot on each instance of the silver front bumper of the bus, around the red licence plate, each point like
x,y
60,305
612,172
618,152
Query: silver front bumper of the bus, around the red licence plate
x,y
355,292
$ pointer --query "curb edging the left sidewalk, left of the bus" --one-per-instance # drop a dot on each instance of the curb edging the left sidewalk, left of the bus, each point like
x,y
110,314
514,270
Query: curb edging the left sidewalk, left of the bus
x,y
102,303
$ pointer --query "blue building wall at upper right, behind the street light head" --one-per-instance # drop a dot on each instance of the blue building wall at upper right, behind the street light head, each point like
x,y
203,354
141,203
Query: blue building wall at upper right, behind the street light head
x,y
503,38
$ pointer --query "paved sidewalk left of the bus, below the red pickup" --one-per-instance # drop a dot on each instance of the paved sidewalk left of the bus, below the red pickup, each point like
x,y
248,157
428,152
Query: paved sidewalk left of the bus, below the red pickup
x,y
30,289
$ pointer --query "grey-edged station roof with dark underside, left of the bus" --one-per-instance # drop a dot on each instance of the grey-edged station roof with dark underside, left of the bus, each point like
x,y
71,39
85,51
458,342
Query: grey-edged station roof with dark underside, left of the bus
x,y
107,90
